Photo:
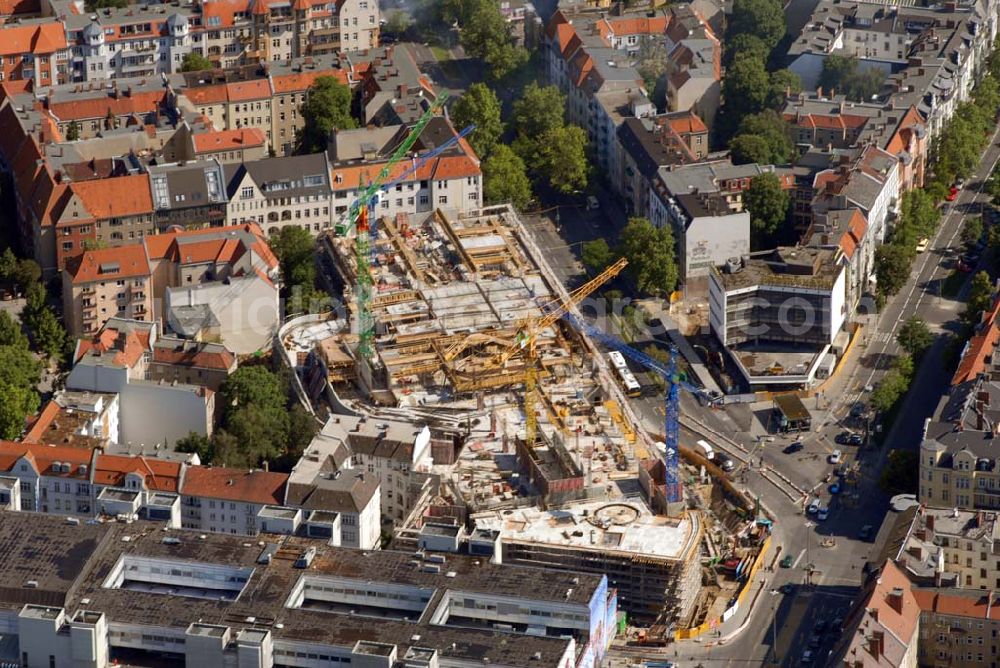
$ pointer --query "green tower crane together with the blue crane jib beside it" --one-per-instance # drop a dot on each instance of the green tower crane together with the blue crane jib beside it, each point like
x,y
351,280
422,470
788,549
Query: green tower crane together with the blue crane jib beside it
x,y
358,219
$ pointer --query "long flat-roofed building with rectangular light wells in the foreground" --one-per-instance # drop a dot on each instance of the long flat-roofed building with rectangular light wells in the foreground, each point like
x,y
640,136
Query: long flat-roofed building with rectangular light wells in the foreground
x,y
329,612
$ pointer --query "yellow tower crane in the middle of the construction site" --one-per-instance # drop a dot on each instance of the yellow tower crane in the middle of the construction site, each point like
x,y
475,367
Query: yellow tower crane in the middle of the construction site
x,y
526,338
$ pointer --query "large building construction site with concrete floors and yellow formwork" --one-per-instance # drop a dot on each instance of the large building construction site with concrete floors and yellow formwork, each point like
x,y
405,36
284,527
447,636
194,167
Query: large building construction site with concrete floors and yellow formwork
x,y
450,294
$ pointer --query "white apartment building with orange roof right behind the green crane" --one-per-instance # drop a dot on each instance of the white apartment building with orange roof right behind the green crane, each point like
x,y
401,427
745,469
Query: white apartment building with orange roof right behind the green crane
x,y
452,179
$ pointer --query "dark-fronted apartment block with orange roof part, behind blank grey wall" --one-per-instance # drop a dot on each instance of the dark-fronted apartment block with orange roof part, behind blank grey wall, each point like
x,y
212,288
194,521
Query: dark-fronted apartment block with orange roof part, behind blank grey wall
x,y
646,144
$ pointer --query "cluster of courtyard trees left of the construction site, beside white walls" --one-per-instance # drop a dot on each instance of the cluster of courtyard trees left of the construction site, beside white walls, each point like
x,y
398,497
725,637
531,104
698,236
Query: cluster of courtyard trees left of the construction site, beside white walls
x,y
260,423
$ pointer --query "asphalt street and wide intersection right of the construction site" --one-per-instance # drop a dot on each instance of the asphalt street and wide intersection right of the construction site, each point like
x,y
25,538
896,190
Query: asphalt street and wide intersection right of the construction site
x,y
834,572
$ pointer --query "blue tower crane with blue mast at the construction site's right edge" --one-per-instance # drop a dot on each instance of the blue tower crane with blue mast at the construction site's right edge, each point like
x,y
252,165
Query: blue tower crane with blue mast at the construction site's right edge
x,y
675,383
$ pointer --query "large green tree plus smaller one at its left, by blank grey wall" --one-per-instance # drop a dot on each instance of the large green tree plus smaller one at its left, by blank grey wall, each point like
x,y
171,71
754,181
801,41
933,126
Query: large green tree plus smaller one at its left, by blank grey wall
x,y
650,251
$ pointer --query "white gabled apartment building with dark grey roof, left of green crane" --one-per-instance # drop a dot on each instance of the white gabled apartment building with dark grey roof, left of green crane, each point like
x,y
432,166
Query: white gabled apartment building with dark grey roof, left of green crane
x,y
280,192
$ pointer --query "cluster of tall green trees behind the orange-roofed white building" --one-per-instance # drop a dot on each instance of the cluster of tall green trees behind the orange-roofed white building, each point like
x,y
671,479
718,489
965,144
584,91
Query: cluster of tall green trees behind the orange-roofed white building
x,y
555,150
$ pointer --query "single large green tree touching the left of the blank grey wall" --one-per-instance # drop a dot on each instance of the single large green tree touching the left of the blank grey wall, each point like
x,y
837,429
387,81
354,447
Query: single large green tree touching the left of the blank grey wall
x,y
651,256
